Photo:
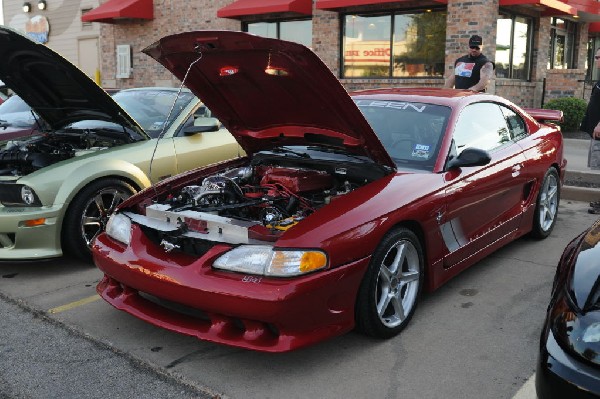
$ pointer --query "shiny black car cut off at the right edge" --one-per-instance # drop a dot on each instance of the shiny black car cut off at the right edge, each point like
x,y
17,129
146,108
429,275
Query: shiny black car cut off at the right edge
x,y
569,360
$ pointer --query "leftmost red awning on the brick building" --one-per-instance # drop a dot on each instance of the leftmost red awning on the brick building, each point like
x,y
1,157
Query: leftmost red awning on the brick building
x,y
114,10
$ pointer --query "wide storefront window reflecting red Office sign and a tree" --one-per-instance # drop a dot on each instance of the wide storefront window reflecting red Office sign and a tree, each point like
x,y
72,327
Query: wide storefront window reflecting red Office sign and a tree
x,y
394,45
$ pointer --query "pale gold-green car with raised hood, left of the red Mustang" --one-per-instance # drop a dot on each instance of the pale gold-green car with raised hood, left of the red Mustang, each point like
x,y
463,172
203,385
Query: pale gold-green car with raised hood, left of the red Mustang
x,y
58,189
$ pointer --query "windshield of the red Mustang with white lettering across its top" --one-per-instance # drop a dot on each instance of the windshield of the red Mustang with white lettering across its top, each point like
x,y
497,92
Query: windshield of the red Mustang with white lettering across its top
x,y
410,132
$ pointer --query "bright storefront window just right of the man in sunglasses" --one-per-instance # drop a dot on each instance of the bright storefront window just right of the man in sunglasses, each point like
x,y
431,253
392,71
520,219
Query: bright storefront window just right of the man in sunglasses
x,y
513,38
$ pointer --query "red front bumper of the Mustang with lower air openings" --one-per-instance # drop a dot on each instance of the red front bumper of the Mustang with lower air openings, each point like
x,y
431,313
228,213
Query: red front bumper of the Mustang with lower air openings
x,y
184,294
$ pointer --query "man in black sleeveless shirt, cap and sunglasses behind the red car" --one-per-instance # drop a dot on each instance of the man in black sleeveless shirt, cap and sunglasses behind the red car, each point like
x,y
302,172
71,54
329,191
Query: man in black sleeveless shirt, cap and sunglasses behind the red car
x,y
472,71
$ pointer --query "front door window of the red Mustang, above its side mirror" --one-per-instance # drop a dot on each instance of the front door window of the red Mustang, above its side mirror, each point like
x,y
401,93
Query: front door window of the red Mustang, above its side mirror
x,y
482,126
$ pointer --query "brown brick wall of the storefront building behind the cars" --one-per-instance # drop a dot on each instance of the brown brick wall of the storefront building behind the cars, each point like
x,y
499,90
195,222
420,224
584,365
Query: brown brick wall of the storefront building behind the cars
x,y
464,18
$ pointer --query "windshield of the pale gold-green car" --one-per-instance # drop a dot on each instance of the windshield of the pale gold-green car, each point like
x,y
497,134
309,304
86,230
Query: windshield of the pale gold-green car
x,y
150,108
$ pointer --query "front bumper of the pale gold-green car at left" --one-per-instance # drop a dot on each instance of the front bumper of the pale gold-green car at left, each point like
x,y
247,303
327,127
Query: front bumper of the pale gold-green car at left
x,y
18,242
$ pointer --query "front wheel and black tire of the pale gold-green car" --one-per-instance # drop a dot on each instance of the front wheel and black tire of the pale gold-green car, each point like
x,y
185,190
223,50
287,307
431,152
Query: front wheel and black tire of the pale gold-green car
x,y
88,214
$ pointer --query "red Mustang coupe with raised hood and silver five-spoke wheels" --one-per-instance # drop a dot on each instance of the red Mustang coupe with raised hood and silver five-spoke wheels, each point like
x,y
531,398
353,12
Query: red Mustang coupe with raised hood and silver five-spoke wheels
x,y
346,208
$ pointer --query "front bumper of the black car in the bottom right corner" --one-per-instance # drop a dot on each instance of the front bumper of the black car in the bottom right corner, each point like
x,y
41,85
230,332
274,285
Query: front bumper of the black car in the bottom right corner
x,y
559,375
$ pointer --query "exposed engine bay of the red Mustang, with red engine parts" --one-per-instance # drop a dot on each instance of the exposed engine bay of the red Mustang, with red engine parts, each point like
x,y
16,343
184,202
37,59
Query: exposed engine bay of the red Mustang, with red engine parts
x,y
251,204
